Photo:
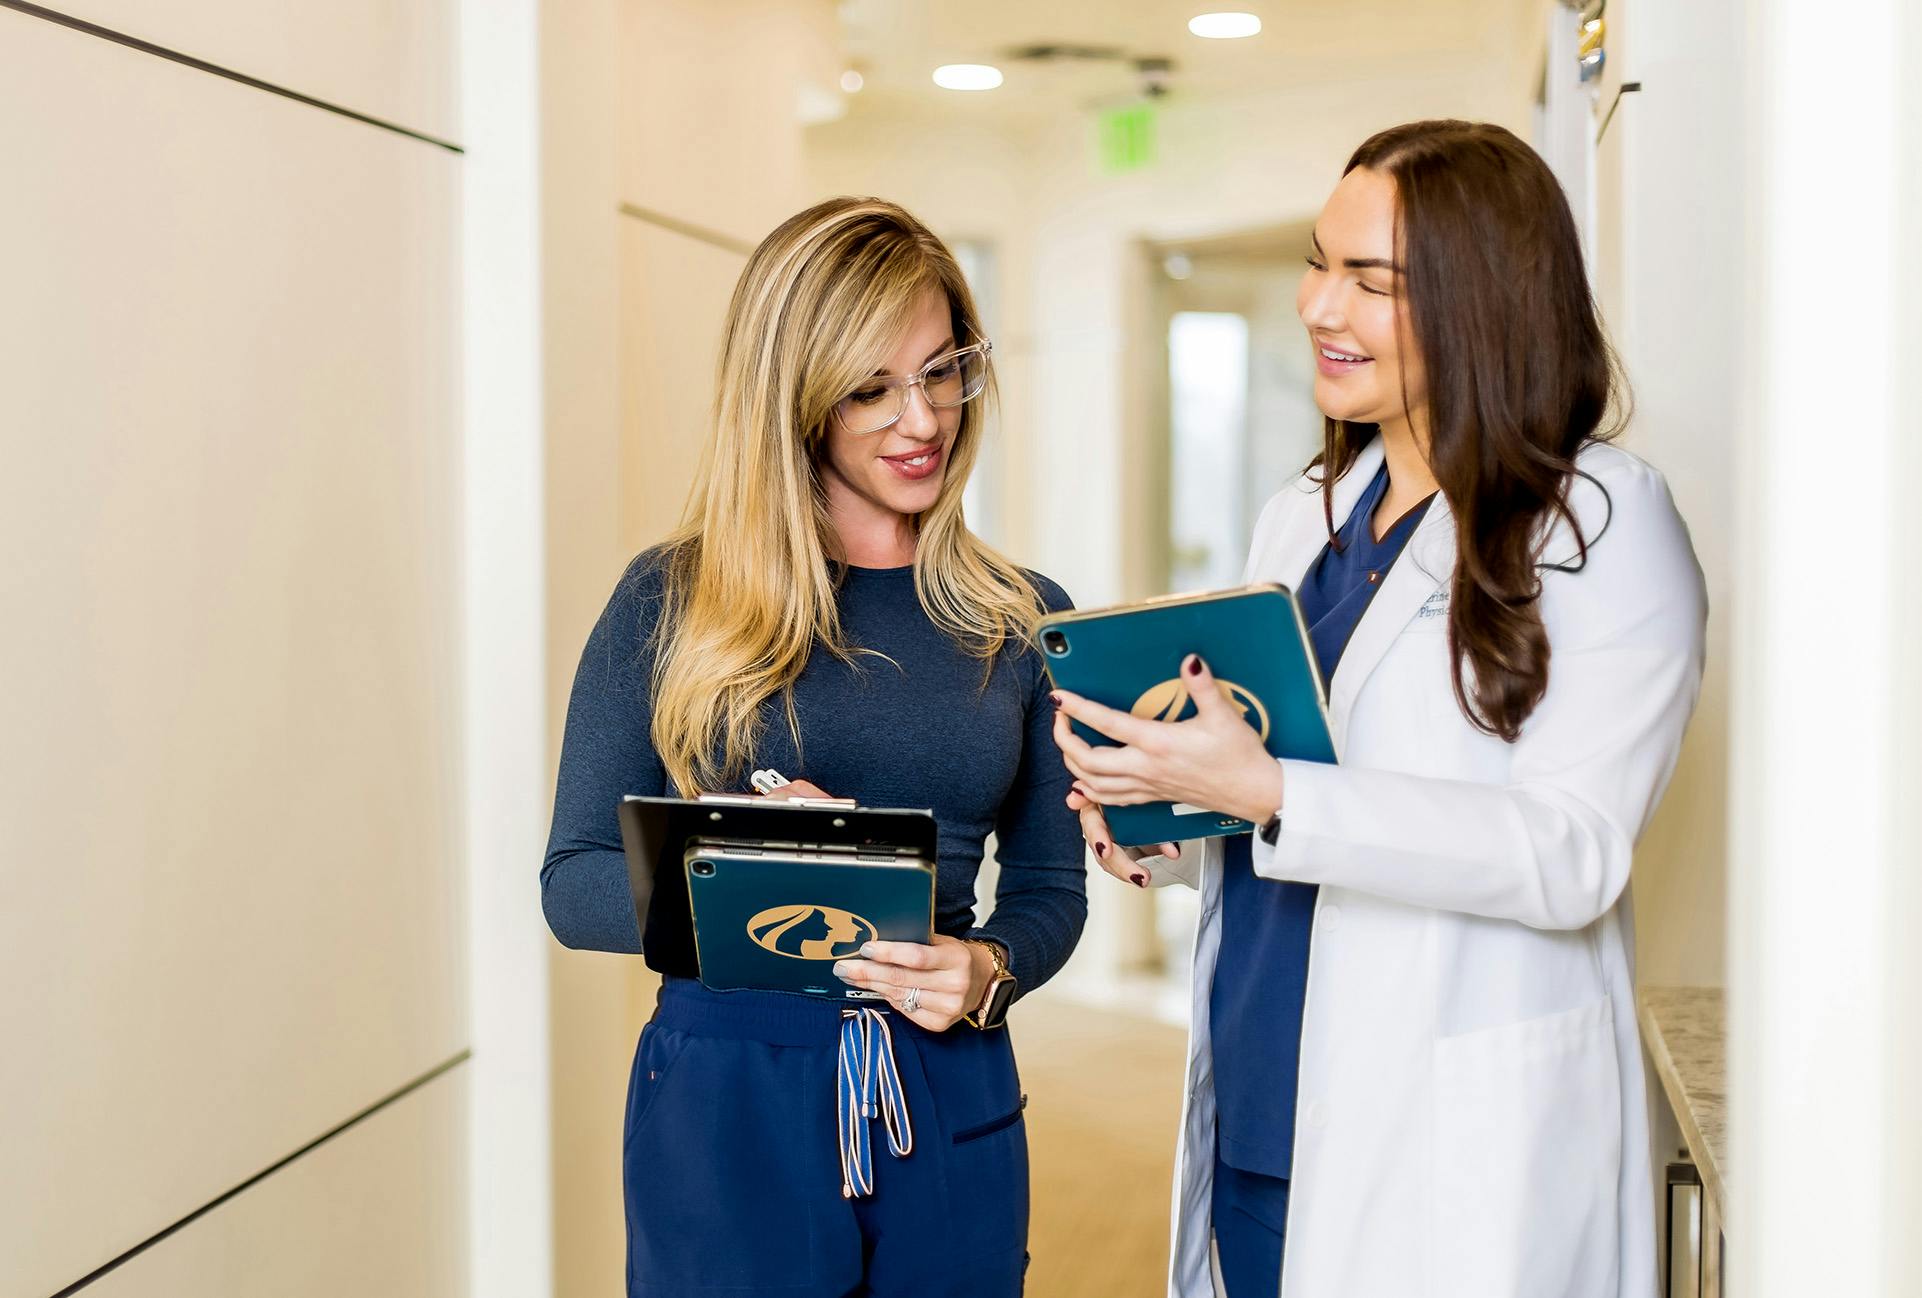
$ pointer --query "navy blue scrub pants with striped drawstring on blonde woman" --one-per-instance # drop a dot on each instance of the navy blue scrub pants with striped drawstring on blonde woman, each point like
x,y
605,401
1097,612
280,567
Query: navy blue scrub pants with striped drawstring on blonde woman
x,y
733,1159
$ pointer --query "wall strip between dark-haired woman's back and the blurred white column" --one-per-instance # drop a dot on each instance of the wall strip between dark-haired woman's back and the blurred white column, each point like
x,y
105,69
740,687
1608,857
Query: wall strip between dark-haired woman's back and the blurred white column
x,y
1669,266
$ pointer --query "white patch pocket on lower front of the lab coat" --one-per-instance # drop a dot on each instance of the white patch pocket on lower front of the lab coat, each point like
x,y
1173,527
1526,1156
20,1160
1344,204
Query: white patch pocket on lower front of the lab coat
x,y
1527,1159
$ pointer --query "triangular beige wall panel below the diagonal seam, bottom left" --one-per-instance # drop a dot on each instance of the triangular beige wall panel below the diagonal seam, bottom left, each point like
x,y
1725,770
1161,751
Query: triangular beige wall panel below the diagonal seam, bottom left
x,y
364,1216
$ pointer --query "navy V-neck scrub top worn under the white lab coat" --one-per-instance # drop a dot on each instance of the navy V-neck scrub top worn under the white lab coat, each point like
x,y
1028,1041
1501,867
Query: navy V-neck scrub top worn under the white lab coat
x,y
1264,968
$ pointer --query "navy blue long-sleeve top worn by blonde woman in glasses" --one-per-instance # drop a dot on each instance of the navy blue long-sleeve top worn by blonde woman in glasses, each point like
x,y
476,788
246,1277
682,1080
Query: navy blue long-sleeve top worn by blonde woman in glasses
x,y
918,732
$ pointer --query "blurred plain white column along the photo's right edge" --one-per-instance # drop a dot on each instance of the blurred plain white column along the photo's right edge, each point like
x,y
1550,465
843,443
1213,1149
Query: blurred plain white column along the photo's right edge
x,y
1827,772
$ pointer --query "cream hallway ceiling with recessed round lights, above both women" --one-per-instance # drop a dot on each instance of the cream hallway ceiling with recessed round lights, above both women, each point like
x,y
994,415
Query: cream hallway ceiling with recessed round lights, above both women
x,y
899,43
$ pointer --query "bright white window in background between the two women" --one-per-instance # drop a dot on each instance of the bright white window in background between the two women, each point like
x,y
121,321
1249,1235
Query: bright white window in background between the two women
x,y
1208,391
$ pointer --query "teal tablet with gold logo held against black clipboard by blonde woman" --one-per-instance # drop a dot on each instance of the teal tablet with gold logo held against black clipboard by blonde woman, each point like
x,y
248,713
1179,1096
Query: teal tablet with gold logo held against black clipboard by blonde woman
x,y
776,920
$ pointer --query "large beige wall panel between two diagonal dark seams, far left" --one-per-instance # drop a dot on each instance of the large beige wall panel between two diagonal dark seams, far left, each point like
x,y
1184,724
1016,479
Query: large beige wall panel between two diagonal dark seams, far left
x,y
228,793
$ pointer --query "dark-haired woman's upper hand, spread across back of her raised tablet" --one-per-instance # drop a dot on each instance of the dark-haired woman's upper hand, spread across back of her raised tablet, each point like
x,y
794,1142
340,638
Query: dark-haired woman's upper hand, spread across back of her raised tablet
x,y
1214,761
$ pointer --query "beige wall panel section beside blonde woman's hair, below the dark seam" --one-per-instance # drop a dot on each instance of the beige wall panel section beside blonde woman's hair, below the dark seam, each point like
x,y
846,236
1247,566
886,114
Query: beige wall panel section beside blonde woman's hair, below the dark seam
x,y
674,303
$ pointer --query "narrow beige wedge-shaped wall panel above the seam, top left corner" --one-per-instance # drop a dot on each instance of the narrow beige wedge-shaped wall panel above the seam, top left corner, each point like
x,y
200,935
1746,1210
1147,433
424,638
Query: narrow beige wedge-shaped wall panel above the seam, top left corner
x,y
385,59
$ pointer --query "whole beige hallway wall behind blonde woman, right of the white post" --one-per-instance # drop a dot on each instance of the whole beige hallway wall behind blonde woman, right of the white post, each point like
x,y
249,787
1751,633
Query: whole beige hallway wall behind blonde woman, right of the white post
x,y
658,180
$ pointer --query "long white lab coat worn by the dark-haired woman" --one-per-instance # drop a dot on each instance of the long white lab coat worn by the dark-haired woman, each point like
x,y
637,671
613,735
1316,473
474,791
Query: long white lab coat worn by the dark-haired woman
x,y
1471,1112
